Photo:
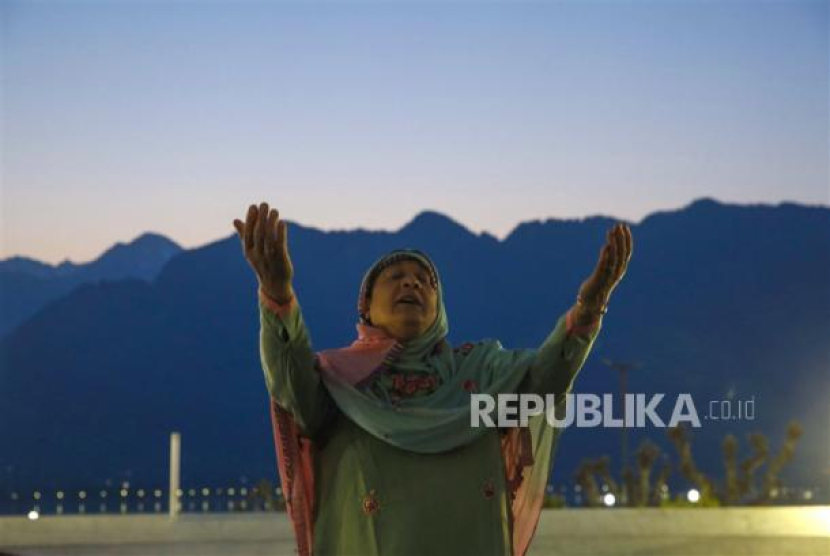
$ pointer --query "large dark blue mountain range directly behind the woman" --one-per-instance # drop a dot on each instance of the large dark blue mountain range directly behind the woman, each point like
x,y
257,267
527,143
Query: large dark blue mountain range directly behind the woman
x,y
724,302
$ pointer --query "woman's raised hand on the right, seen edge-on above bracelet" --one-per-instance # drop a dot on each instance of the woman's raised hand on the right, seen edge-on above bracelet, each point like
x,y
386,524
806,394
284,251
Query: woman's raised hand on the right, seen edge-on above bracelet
x,y
613,262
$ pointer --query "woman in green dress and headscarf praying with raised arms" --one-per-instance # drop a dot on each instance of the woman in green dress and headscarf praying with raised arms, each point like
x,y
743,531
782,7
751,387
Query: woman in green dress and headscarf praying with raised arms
x,y
375,448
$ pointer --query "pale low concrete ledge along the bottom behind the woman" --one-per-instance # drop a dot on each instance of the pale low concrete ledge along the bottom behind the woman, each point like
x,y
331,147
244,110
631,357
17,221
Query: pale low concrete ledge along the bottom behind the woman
x,y
595,532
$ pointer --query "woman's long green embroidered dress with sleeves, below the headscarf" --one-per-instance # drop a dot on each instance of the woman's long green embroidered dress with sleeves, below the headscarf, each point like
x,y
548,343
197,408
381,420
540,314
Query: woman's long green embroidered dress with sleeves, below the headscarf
x,y
374,498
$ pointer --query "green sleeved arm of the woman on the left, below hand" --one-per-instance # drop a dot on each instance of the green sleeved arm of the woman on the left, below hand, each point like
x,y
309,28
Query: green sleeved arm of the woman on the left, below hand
x,y
289,363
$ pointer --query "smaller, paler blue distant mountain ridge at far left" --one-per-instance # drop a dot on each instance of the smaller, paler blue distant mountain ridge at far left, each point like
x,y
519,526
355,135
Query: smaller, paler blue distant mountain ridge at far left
x,y
27,285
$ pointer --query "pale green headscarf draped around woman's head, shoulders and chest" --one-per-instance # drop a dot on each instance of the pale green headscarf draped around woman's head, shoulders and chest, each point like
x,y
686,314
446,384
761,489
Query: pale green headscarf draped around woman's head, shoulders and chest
x,y
440,420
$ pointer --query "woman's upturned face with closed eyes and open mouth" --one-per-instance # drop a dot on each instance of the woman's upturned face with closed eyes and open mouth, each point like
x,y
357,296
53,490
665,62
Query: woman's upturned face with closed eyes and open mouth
x,y
403,301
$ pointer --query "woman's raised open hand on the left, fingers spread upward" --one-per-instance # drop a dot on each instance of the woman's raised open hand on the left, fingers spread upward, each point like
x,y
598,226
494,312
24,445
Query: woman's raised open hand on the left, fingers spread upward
x,y
264,240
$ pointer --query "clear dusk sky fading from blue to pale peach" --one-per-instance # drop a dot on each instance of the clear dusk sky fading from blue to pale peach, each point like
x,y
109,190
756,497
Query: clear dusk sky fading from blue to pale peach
x,y
125,117
